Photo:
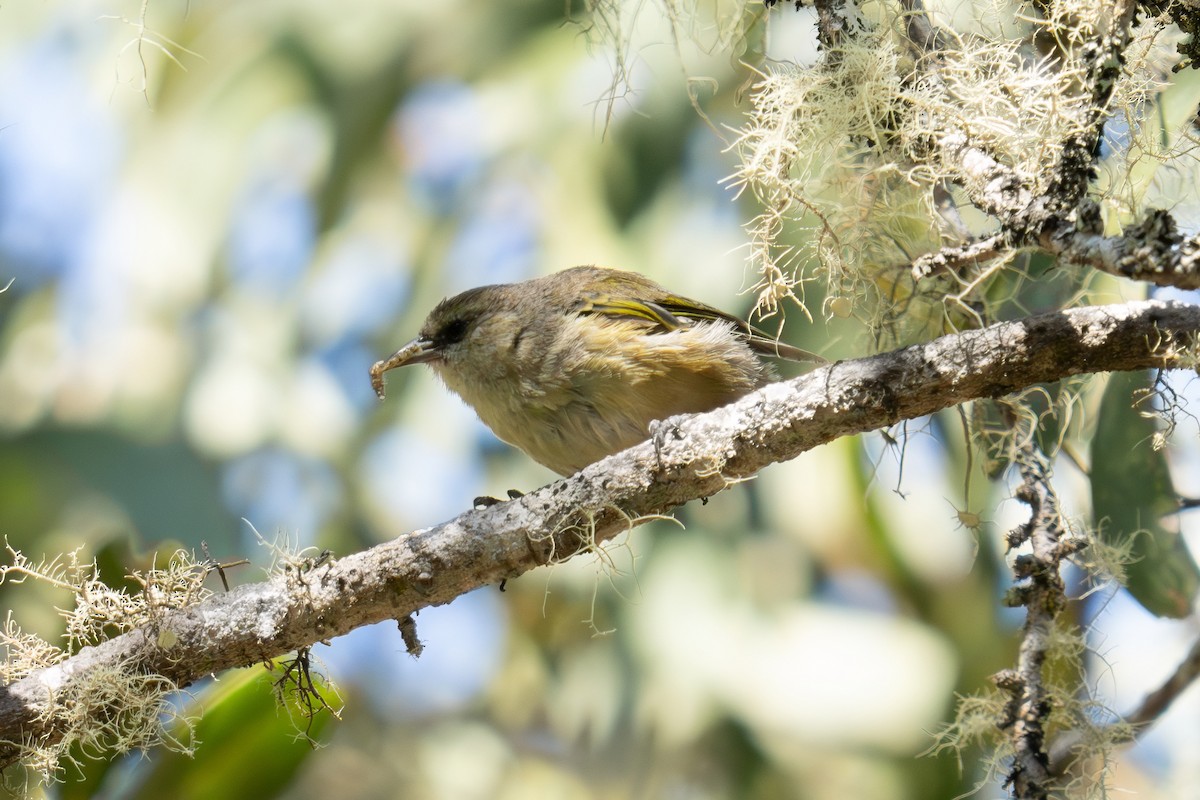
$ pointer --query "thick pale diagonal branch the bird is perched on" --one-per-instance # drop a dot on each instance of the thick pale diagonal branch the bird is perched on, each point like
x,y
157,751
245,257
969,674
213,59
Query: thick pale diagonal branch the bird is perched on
x,y
692,458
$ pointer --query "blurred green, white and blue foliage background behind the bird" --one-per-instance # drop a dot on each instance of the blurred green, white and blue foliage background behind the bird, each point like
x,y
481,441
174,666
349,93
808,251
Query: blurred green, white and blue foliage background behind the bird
x,y
217,215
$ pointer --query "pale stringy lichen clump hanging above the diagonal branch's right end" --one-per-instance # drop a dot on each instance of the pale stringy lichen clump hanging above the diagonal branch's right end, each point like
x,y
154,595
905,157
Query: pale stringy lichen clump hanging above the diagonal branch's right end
x,y
880,139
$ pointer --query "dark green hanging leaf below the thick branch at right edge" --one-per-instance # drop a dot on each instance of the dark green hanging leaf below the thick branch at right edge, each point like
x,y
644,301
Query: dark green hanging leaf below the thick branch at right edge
x,y
1132,492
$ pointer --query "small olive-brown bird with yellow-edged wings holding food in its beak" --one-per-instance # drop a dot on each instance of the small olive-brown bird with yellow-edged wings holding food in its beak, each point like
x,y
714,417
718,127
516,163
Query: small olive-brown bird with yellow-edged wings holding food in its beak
x,y
575,366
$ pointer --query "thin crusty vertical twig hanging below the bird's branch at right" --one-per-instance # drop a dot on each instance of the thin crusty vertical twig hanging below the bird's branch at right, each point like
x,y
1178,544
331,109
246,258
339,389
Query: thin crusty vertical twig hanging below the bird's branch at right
x,y
1042,593
